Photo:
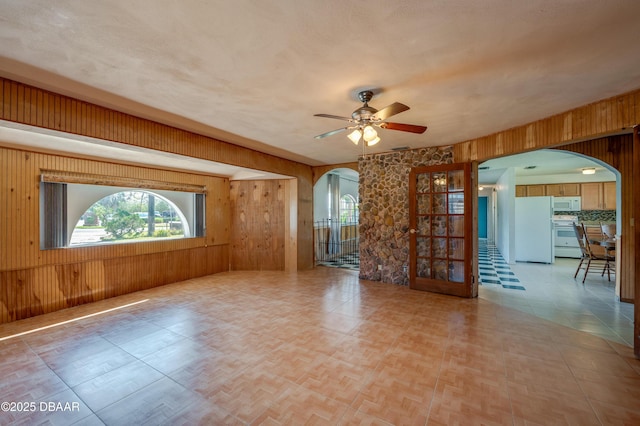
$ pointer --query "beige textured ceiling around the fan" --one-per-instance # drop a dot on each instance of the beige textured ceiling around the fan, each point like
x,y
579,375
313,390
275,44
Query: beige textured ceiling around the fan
x,y
255,72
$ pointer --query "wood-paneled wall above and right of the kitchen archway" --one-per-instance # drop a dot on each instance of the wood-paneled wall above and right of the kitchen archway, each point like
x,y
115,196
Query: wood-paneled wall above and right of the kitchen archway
x,y
587,130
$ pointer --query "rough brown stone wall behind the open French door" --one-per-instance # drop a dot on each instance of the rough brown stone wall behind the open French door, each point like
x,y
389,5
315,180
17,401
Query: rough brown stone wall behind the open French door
x,y
384,211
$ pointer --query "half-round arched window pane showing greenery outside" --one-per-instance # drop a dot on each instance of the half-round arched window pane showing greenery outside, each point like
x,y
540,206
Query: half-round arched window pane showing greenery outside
x,y
125,216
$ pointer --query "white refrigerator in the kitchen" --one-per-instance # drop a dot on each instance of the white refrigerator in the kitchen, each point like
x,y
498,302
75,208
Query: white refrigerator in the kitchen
x,y
534,230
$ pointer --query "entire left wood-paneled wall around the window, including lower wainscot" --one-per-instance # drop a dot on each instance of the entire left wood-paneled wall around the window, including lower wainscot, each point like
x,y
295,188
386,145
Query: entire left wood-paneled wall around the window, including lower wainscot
x,y
34,281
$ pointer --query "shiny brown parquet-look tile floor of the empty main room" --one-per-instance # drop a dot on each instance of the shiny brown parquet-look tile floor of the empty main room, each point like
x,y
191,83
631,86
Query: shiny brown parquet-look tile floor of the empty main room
x,y
315,347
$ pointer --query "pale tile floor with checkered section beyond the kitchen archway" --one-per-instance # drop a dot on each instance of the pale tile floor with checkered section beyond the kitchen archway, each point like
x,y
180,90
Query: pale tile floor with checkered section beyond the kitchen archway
x,y
551,292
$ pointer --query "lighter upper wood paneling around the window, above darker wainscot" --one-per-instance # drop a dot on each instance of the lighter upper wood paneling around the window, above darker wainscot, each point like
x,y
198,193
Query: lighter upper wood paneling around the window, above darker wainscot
x,y
19,196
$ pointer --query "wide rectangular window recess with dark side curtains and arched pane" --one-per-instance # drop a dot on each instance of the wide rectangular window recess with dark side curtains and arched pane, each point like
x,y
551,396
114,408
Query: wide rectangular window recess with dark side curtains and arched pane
x,y
73,215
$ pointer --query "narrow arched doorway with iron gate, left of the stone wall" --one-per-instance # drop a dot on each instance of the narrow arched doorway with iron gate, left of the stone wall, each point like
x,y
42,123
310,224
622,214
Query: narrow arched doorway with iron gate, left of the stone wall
x,y
336,214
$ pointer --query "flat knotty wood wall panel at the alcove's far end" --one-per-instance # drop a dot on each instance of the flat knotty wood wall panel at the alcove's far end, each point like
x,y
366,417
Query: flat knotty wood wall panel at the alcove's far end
x,y
258,225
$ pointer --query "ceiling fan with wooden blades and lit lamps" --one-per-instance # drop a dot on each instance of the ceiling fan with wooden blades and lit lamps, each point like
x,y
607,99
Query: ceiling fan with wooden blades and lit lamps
x,y
365,118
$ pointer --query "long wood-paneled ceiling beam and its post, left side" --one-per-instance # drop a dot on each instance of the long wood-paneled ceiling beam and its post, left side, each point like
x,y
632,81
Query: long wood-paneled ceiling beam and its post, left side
x,y
29,105
